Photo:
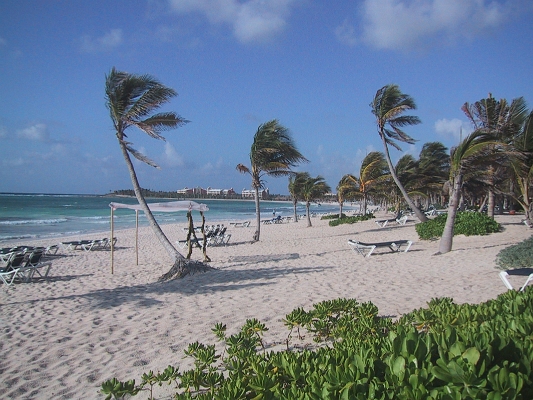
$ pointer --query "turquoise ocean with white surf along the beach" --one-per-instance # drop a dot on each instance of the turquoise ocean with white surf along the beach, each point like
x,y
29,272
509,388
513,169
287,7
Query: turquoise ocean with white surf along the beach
x,y
39,216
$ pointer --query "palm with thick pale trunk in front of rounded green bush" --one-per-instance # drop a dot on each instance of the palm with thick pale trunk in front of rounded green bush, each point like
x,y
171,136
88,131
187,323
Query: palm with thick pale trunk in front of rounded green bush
x,y
471,148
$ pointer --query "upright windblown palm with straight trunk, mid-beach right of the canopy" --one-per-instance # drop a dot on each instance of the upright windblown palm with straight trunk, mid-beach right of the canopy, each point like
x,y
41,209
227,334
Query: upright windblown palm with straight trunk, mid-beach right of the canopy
x,y
273,153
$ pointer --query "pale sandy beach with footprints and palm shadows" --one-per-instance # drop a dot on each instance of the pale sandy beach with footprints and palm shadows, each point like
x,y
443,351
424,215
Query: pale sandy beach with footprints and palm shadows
x,y
61,338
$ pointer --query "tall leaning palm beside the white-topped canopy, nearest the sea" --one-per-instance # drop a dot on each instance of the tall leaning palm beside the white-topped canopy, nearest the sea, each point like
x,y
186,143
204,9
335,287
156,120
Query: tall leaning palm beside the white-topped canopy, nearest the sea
x,y
132,100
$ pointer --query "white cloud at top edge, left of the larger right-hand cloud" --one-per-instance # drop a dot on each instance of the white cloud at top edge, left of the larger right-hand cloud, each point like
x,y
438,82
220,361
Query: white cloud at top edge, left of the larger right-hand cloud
x,y
250,21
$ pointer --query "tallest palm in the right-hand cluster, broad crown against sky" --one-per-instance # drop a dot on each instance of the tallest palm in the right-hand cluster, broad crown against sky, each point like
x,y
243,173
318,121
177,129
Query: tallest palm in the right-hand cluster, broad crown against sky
x,y
502,120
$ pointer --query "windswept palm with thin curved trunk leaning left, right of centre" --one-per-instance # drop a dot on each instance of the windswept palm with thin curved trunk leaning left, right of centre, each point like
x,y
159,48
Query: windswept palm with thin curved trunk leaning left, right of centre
x,y
388,106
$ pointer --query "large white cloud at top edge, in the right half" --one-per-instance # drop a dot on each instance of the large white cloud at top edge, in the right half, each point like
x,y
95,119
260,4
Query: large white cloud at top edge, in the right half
x,y
409,24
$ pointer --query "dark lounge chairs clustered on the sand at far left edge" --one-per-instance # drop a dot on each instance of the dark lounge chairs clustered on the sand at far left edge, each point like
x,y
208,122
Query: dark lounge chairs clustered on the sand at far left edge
x,y
24,265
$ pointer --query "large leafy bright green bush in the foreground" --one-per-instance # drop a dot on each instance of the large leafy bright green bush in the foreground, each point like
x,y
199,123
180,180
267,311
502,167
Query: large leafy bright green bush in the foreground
x,y
442,352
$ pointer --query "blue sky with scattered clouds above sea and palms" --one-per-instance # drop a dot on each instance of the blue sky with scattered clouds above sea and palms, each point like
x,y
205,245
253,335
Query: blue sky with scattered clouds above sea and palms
x,y
313,65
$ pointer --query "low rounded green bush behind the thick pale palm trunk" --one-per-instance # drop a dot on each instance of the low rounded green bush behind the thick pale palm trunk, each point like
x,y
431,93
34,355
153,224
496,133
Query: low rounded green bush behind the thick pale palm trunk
x,y
466,223
